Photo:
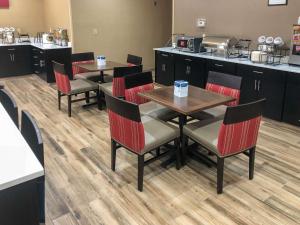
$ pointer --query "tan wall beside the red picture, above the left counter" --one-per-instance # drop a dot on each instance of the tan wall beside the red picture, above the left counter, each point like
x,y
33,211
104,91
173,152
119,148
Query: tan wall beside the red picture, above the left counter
x,y
24,14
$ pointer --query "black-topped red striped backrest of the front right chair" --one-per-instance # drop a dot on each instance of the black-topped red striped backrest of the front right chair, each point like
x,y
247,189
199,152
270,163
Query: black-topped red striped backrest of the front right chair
x,y
240,127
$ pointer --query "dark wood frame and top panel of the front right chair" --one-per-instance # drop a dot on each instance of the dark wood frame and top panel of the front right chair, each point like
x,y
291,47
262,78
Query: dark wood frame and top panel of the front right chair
x,y
233,115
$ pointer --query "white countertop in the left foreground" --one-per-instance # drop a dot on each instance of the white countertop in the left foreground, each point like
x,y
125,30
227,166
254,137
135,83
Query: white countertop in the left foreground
x,y
18,164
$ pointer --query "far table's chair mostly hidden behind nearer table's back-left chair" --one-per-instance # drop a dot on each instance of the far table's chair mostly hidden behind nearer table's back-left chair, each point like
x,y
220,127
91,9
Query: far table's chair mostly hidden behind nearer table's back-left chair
x,y
117,86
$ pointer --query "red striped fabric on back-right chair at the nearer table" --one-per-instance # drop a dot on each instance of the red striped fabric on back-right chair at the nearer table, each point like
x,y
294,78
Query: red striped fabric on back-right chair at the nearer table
x,y
235,93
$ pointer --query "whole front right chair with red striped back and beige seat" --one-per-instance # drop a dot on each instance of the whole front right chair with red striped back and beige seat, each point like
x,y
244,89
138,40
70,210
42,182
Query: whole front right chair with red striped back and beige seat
x,y
236,133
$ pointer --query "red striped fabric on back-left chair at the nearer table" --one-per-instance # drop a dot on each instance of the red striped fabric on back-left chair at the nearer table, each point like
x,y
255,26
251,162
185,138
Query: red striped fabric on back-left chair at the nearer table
x,y
132,95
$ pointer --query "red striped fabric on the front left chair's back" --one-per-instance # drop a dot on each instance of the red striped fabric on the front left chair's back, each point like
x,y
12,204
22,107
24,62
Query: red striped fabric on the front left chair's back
x,y
127,132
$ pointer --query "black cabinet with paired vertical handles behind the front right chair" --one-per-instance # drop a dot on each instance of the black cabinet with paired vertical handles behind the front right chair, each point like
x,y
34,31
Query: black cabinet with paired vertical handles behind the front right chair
x,y
263,83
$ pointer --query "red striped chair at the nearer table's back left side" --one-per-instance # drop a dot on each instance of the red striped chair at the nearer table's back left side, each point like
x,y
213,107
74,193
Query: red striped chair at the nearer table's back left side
x,y
136,83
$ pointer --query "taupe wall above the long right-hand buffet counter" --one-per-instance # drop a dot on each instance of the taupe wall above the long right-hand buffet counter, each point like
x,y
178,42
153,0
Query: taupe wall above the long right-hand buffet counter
x,y
240,18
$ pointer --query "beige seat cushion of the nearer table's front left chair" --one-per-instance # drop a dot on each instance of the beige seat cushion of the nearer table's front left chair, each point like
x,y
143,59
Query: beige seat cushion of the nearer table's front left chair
x,y
157,133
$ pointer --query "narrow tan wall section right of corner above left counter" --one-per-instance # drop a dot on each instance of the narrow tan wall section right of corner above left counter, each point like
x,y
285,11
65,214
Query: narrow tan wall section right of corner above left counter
x,y
57,14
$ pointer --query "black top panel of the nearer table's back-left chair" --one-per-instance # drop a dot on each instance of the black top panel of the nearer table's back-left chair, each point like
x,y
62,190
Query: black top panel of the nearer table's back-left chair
x,y
138,79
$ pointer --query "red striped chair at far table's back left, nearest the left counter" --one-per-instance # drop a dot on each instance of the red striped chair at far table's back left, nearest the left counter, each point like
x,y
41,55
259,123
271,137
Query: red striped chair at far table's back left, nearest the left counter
x,y
80,73
